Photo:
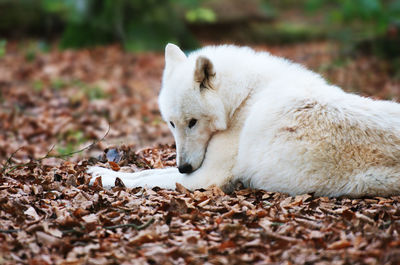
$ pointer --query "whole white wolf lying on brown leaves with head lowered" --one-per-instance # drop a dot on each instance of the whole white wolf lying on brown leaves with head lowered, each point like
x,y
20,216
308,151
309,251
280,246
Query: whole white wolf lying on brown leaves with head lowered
x,y
241,115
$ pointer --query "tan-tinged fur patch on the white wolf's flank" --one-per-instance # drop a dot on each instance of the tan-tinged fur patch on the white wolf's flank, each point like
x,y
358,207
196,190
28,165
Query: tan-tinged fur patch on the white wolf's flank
x,y
337,149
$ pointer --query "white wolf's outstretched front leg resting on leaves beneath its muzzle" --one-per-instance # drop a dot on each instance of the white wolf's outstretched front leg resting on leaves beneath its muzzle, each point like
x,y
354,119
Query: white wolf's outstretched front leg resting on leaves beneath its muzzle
x,y
215,170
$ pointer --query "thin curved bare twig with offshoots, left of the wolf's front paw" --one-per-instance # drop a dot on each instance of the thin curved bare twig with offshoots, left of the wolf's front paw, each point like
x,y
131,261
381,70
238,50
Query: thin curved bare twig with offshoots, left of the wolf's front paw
x,y
48,155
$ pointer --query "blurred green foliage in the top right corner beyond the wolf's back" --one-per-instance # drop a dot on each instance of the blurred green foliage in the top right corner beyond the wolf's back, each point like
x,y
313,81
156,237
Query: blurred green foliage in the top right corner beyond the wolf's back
x,y
370,26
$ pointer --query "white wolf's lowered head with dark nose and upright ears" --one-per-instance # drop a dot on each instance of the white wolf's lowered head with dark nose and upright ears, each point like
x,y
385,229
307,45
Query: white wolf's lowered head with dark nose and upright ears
x,y
190,104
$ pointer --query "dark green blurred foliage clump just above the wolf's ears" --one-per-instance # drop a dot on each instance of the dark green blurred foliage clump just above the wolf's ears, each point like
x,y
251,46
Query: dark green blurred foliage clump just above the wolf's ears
x,y
138,25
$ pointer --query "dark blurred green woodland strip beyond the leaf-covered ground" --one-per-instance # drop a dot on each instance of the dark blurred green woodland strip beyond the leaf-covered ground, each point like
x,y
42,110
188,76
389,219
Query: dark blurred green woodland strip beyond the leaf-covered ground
x,y
139,25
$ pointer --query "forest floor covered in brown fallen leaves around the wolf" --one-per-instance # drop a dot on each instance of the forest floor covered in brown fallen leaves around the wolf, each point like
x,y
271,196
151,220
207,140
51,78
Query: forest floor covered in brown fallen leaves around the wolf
x,y
102,102
